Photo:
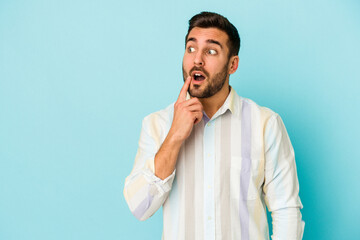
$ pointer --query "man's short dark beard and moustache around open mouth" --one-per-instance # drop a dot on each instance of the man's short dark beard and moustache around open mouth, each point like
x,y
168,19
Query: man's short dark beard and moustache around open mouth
x,y
214,84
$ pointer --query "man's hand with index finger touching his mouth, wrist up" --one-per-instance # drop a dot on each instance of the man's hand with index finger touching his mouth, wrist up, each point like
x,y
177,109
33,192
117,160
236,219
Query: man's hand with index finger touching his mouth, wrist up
x,y
187,113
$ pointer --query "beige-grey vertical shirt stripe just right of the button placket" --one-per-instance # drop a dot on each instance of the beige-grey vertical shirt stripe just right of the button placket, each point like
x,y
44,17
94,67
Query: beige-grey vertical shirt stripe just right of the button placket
x,y
224,164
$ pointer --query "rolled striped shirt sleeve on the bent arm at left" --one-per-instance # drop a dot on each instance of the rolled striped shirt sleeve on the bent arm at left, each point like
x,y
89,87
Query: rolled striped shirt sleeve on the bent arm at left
x,y
143,191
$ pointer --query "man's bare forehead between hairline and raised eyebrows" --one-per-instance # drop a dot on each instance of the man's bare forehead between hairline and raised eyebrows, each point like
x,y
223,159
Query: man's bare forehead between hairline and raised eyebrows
x,y
204,34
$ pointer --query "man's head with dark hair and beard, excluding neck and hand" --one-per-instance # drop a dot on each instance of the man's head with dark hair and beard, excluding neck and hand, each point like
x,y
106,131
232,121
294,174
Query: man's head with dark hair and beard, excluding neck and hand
x,y
212,46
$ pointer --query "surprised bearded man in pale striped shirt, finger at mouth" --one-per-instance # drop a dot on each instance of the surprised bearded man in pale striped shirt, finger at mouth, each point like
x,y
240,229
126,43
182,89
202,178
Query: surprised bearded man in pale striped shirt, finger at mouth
x,y
214,159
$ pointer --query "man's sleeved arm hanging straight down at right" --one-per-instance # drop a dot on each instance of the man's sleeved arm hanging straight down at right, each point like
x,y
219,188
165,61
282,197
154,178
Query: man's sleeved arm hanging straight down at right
x,y
281,185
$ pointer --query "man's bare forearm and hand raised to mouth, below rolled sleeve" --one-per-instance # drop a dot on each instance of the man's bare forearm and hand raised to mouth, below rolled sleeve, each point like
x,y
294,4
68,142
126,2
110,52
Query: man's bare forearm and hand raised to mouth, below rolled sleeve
x,y
187,113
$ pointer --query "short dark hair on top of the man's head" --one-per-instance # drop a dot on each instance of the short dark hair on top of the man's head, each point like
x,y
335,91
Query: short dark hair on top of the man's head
x,y
210,19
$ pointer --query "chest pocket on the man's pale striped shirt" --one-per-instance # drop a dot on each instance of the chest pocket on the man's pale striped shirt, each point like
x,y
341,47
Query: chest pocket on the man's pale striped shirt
x,y
247,178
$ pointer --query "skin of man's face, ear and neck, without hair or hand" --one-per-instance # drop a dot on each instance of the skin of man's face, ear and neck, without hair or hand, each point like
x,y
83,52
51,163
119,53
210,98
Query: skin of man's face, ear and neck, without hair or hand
x,y
202,56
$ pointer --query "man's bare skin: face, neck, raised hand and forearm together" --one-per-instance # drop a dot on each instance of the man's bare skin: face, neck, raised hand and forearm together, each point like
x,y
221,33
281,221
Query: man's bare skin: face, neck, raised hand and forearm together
x,y
207,52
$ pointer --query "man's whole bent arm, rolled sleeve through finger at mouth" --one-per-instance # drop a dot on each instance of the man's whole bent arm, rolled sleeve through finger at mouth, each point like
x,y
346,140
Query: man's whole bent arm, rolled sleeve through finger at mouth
x,y
150,181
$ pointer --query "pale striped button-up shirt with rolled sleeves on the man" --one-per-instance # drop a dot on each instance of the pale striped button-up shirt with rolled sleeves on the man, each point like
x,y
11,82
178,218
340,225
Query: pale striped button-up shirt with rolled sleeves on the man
x,y
228,170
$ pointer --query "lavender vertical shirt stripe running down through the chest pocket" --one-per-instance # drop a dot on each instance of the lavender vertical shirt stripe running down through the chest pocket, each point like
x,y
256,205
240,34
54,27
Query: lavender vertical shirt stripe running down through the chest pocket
x,y
245,169
